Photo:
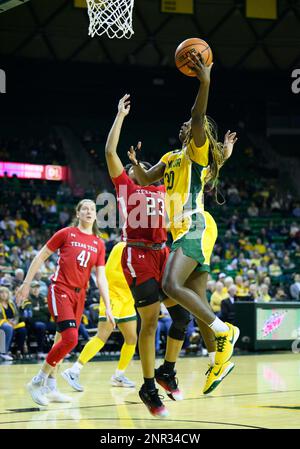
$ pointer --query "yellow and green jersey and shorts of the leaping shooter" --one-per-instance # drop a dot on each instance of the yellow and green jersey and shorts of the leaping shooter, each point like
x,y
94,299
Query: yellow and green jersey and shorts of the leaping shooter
x,y
193,229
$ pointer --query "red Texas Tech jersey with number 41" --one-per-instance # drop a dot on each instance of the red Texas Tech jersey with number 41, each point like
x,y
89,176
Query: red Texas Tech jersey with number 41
x,y
78,254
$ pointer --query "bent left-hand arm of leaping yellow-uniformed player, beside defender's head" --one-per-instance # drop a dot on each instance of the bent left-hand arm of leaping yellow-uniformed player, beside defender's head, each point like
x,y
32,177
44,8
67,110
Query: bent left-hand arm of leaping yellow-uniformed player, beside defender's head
x,y
145,177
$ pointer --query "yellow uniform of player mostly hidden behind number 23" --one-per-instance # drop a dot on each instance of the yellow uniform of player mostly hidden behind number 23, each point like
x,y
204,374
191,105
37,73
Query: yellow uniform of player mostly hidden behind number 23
x,y
122,302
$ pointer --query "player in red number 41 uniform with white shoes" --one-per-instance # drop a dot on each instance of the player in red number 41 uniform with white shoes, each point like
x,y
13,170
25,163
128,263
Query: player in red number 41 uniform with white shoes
x,y
80,249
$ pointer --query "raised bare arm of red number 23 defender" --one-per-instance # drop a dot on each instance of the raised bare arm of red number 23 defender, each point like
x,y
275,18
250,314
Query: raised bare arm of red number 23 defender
x,y
114,164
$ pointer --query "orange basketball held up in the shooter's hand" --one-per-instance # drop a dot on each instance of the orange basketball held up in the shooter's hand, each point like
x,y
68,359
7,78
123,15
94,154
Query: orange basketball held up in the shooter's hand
x,y
188,47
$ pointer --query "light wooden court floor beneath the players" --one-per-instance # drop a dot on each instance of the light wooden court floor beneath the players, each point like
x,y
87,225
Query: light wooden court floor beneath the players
x,y
263,391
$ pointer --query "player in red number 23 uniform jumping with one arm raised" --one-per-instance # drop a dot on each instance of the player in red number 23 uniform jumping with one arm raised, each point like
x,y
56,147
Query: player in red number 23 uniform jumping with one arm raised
x,y
143,262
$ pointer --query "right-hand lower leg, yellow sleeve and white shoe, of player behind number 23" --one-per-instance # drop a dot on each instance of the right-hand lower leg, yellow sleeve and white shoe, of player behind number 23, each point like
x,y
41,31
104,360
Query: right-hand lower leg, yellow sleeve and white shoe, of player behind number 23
x,y
129,332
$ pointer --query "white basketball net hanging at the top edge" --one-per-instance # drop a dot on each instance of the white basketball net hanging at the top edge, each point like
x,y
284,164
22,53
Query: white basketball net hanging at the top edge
x,y
113,17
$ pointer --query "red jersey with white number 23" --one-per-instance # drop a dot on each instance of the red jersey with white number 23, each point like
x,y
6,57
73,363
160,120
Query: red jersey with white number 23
x,y
142,210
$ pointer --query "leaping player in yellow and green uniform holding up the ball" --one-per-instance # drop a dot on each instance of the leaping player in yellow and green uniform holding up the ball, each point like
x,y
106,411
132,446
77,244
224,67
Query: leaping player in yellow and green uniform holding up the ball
x,y
194,231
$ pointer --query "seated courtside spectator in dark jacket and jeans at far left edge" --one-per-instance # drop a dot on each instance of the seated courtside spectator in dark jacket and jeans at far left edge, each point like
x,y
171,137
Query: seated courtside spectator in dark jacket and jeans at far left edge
x,y
9,323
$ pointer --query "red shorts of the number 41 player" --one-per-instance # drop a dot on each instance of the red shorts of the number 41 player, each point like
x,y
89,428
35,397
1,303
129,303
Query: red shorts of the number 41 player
x,y
66,304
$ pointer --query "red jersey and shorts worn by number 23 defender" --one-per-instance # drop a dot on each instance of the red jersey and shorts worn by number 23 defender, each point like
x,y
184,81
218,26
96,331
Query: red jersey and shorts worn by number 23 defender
x,y
142,229
